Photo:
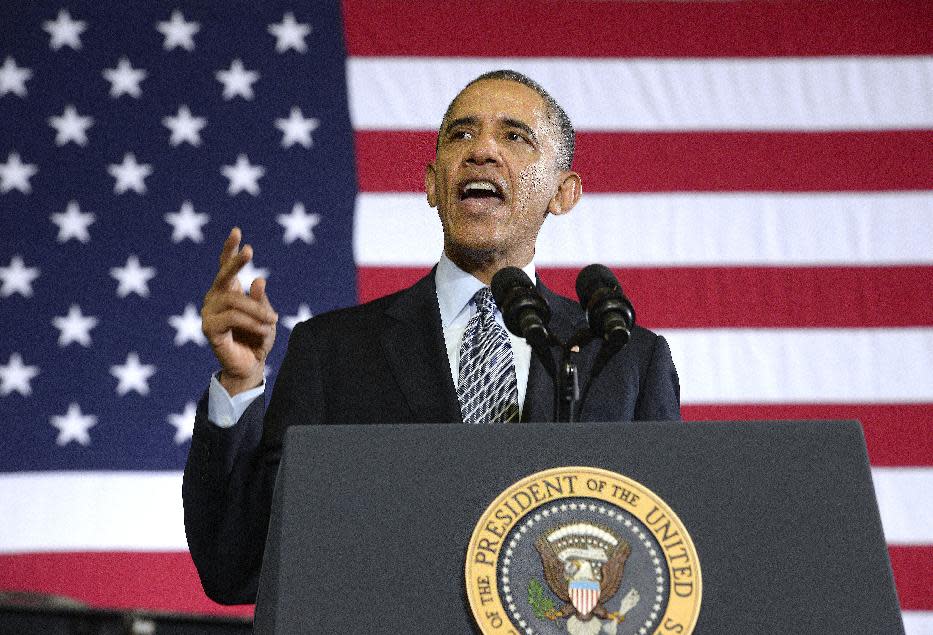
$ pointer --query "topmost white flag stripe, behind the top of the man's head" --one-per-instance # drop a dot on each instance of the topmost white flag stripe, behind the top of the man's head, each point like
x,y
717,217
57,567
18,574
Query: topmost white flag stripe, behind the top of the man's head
x,y
828,93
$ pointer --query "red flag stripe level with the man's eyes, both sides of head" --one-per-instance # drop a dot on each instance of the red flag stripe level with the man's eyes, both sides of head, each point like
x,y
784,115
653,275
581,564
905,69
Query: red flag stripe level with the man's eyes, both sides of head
x,y
394,161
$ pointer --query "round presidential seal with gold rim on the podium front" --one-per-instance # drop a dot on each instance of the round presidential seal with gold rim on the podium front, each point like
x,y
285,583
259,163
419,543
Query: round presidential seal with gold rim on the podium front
x,y
584,551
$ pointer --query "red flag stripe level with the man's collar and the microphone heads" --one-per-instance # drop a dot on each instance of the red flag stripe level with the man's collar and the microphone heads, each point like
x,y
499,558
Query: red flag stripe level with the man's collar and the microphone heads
x,y
741,297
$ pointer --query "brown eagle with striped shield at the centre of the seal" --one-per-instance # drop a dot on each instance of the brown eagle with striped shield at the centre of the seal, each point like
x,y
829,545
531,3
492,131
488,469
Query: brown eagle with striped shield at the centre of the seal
x,y
561,574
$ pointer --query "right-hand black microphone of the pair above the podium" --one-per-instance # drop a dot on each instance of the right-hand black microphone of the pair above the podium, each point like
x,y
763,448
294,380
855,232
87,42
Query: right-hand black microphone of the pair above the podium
x,y
609,313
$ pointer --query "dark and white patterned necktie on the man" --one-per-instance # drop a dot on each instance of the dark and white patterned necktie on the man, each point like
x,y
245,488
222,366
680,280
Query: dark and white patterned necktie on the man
x,y
488,389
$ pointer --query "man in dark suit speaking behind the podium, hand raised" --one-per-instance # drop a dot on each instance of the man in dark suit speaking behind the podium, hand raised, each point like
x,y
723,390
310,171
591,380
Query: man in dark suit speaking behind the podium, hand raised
x,y
433,353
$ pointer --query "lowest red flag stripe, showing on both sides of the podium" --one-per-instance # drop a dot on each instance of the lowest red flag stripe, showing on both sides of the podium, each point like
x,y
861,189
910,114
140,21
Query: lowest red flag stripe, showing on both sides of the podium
x,y
166,581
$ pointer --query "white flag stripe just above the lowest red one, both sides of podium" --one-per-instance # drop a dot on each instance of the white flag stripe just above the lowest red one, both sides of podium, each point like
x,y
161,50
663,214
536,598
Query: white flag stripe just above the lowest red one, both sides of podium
x,y
96,511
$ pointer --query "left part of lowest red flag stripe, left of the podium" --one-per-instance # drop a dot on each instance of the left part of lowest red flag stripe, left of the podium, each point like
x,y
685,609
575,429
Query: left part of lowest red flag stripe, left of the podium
x,y
121,580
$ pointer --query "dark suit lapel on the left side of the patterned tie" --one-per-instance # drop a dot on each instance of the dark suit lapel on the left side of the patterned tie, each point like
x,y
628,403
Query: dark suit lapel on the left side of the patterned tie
x,y
413,342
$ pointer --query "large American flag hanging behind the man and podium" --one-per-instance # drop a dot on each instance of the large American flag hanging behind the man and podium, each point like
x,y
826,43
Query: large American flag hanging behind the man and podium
x,y
759,175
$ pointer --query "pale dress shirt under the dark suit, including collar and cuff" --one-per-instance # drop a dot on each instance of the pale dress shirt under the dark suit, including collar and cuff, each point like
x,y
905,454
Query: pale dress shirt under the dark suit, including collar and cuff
x,y
455,291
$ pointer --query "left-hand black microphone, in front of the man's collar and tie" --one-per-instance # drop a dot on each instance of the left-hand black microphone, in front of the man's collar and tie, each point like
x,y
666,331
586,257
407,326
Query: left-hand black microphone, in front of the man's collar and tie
x,y
524,310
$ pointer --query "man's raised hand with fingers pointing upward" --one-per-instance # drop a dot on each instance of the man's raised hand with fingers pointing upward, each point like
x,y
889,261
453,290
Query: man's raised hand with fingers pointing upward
x,y
240,327
